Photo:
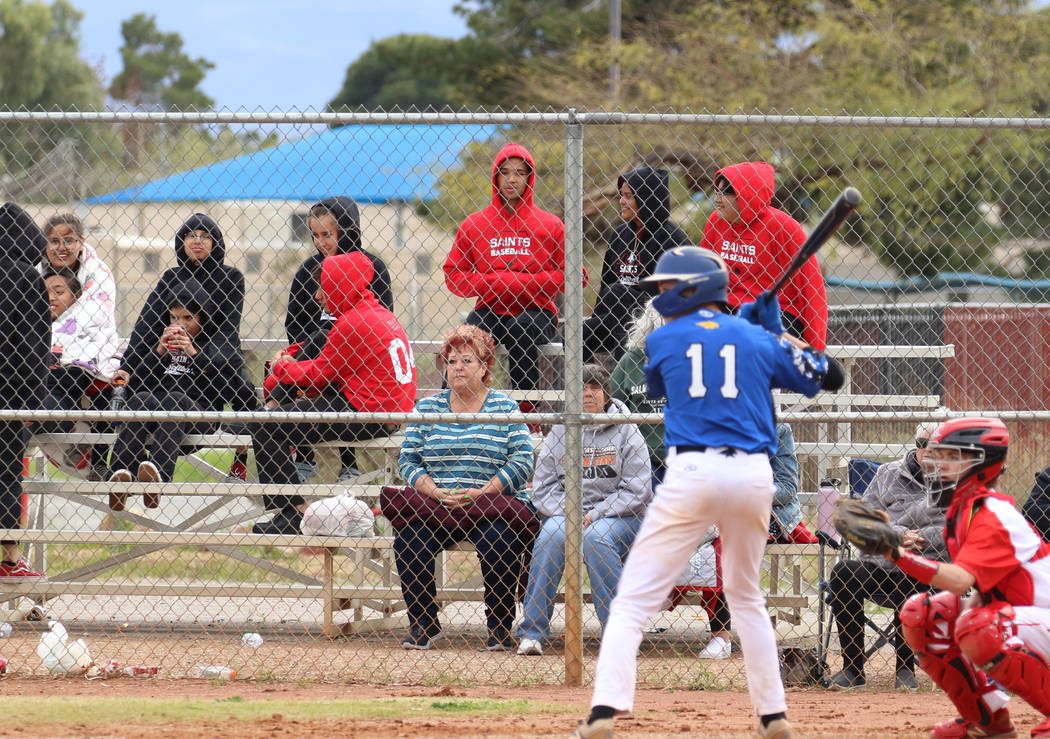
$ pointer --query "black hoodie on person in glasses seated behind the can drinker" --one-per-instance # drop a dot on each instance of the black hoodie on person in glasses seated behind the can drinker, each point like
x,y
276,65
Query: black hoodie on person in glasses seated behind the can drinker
x,y
223,285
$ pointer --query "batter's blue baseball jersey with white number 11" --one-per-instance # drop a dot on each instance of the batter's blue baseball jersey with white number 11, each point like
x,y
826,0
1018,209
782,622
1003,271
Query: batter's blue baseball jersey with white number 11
x,y
718,372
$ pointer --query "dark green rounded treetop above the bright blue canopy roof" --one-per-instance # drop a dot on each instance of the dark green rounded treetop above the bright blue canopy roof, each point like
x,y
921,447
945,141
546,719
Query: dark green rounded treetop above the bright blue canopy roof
x,y
405,72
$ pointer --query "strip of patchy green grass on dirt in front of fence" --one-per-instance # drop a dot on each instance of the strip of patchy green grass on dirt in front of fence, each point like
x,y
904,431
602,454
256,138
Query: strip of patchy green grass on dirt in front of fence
x,y
45,710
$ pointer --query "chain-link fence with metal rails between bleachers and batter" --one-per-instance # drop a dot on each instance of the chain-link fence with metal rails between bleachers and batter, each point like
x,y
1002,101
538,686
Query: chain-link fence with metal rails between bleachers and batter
x,y
282,460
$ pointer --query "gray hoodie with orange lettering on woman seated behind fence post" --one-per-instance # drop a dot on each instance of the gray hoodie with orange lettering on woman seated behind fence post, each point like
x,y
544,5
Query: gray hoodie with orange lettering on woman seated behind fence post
x,y
618,476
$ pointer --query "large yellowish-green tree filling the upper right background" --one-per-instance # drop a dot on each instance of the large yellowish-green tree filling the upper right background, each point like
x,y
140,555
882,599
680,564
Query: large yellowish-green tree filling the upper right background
x,y
928,193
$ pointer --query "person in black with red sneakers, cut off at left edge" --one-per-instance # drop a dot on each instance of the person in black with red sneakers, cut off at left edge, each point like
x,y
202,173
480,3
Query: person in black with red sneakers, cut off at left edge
x,y
25,341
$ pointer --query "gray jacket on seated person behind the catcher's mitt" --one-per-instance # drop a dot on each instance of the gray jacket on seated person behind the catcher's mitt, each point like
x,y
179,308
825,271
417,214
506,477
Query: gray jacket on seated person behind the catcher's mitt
x,y
899,490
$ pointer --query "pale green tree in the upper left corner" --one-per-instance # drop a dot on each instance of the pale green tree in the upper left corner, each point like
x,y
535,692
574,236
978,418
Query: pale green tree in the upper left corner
x,y
40,68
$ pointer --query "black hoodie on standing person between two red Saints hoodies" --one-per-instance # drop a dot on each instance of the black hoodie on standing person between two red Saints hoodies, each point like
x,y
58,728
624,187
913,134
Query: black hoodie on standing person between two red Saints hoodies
x,y
631,256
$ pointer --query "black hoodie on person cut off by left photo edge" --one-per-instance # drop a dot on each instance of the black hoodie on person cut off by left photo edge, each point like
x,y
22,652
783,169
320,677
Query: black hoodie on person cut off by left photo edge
x,y
26,318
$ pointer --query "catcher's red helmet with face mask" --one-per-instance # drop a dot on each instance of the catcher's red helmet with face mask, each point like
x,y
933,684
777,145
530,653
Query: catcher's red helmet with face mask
x,y
964,453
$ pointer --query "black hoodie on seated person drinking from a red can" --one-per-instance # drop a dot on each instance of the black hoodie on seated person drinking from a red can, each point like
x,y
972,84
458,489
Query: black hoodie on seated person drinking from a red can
x,y
205,376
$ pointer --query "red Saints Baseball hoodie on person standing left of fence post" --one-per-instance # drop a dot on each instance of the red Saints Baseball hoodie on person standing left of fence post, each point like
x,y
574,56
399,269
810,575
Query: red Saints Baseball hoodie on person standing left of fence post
x,y
511,260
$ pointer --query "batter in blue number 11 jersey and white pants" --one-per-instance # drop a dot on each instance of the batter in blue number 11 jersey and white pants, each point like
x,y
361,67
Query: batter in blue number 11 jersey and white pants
x,y
717,371
